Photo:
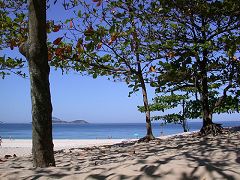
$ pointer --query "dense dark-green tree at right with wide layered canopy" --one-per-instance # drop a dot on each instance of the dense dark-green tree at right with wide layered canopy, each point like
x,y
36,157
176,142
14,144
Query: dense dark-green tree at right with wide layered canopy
x,y
201,45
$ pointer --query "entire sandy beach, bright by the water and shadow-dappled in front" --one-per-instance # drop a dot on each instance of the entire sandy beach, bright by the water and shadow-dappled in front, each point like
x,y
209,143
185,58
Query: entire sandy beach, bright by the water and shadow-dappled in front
x,y
185,156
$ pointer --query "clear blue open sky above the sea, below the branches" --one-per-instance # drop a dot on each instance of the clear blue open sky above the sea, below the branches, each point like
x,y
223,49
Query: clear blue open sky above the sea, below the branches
x,y
74,96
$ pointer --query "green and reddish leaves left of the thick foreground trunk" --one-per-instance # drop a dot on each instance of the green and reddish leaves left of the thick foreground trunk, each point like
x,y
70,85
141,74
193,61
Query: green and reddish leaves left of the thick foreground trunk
x,y
13,32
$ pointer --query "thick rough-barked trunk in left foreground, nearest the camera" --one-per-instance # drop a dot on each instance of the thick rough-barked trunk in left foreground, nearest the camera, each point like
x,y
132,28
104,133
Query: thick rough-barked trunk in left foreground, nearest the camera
x,y
37,52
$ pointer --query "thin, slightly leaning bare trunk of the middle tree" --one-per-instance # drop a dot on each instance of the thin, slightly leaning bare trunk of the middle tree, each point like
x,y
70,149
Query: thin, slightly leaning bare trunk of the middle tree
x,y
149,136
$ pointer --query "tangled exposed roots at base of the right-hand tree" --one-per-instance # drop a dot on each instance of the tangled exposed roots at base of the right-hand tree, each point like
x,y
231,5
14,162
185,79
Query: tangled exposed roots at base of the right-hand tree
x,y
211,129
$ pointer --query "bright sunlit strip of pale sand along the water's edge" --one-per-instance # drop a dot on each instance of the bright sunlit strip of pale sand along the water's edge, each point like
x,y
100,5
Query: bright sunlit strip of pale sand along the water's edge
x,y
23,147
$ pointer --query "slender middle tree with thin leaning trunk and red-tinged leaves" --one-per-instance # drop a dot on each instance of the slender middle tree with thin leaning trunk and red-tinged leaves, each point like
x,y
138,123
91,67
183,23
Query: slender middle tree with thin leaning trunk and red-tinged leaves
x,y
108,38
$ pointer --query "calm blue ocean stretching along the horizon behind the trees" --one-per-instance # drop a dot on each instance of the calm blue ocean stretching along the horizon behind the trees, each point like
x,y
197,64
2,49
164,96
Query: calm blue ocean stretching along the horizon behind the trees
x,y
101,131
